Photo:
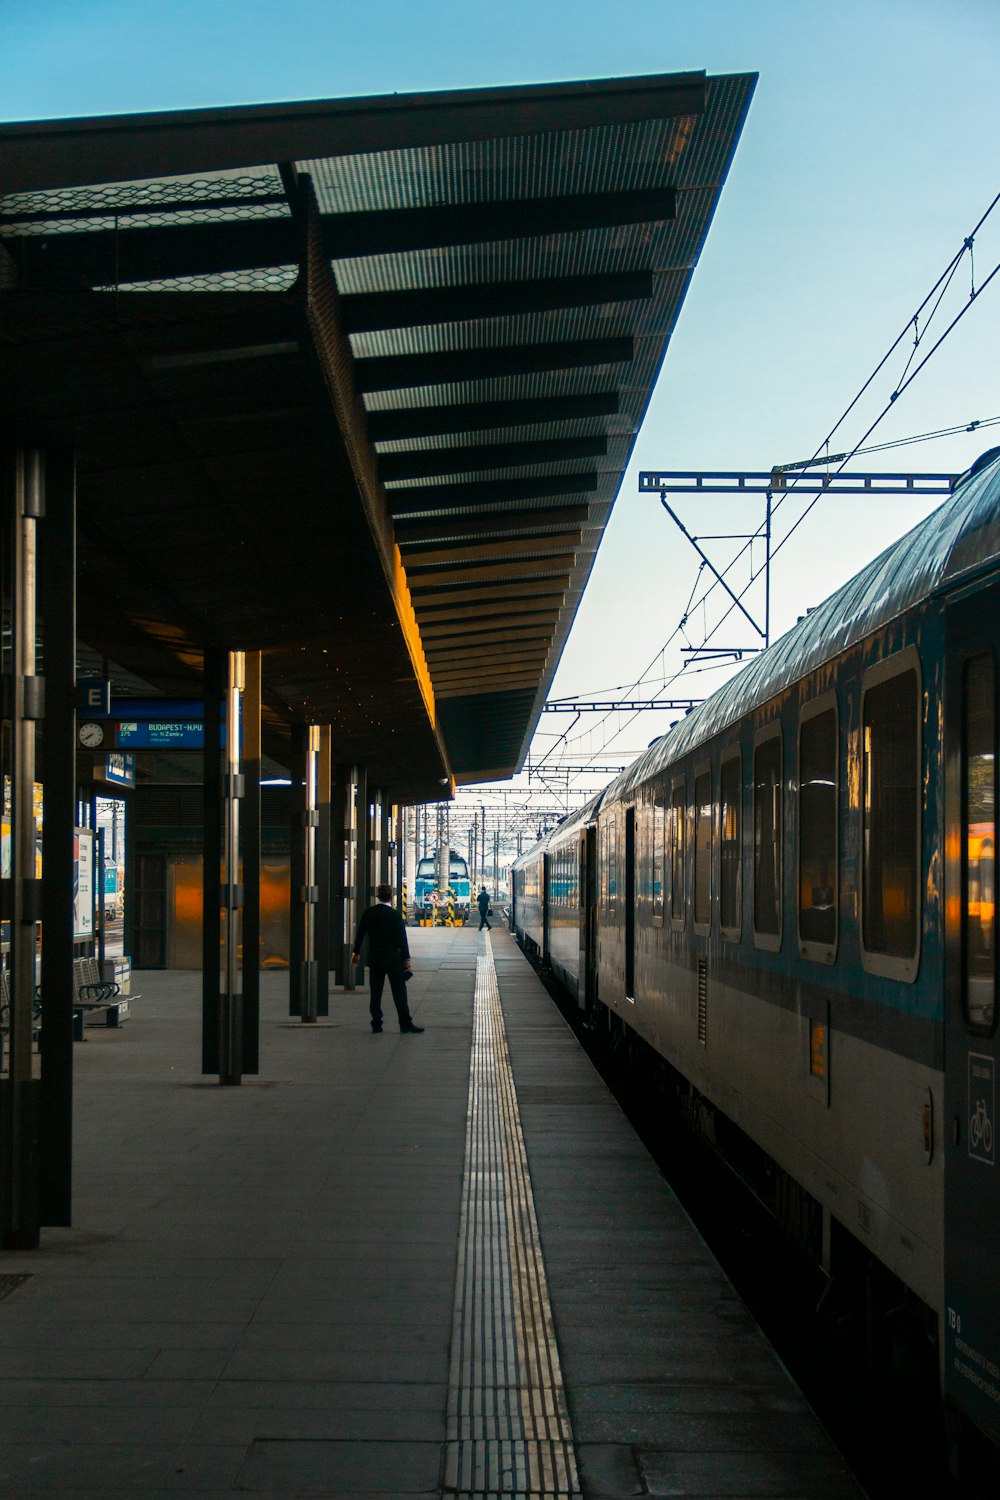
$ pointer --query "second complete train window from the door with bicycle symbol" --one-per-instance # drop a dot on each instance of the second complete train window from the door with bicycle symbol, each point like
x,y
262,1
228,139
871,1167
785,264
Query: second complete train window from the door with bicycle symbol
x,y
818,832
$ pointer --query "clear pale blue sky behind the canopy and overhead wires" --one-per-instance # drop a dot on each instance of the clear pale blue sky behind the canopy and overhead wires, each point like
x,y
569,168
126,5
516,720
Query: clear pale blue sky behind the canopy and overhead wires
x,y
869,155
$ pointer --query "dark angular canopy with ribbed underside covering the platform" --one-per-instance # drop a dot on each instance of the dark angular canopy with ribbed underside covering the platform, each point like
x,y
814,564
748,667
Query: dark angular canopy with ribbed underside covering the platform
x,y
356,383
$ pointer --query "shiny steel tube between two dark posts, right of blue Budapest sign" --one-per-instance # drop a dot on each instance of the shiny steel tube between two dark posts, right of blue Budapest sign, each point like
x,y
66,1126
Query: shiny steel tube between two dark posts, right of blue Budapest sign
x,y
232,895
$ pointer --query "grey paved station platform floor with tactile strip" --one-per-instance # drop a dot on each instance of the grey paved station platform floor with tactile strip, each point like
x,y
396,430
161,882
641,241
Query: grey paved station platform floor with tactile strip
x,y
389,1265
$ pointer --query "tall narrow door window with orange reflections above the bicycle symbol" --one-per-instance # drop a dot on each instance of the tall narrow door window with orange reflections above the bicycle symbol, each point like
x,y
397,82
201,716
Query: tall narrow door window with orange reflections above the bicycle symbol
x,y
980,841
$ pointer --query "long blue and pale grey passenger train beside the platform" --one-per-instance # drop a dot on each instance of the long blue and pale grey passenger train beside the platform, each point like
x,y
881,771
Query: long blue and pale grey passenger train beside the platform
x,y
789,904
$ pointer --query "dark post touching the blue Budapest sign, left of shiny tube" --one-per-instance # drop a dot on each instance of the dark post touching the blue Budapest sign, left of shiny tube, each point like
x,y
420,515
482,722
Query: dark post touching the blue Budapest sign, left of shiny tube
x,y
215,683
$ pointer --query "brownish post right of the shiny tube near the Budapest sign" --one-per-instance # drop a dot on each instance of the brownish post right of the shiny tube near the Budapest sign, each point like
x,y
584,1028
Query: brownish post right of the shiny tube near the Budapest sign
x,y
253,863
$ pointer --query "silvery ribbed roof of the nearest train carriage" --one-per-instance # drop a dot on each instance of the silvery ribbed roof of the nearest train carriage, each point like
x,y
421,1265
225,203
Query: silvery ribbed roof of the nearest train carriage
x,y
959,541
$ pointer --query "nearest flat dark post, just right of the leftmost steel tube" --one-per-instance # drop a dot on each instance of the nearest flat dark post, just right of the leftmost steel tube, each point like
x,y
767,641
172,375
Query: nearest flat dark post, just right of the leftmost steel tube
x,y
59,775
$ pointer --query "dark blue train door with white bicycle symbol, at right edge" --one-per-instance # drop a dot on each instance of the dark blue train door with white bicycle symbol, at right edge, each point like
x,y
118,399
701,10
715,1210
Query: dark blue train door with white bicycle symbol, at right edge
x,y
972,1052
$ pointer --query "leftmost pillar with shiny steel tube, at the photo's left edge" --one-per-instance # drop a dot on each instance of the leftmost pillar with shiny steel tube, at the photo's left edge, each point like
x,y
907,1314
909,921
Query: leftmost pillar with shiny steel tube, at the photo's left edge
x,y
20,1097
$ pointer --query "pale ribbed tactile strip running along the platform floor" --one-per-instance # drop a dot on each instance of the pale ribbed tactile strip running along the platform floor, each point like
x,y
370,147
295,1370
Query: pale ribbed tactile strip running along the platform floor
x,y
509,1432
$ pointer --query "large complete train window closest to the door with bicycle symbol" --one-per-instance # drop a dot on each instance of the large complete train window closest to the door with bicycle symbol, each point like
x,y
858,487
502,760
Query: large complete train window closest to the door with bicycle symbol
x,y
891,820
